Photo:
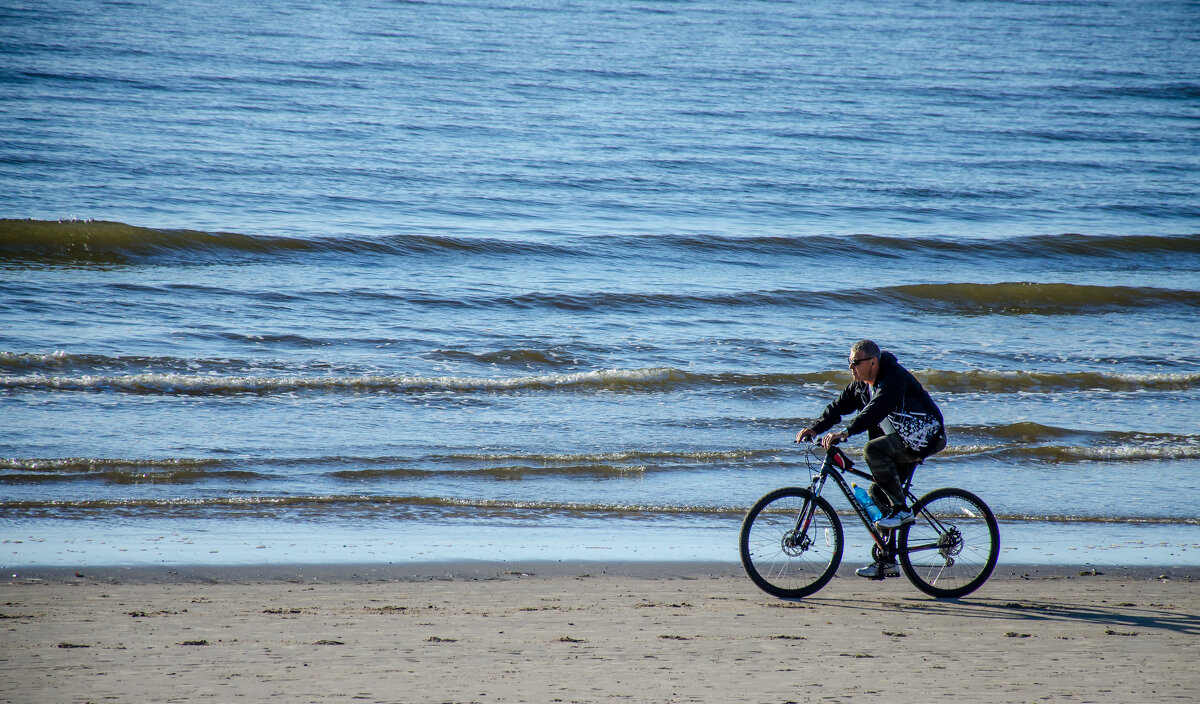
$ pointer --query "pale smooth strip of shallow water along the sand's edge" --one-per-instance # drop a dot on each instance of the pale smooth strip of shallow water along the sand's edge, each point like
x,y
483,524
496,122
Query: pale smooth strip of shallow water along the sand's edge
x,y
46,544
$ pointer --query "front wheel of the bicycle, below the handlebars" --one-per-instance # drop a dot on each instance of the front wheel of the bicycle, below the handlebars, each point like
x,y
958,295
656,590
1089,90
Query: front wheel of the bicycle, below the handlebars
x,y
791,543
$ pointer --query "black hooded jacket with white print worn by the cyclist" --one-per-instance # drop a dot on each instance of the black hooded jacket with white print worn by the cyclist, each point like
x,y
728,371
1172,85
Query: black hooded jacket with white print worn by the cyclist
x,y
896,390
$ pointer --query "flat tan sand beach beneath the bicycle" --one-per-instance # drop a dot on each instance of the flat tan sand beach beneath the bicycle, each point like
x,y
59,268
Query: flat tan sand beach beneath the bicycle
x,y
575,633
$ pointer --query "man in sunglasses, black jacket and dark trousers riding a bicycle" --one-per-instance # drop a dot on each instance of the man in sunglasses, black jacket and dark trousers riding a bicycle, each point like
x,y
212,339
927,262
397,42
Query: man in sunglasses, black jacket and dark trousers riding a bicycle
x,y
903,424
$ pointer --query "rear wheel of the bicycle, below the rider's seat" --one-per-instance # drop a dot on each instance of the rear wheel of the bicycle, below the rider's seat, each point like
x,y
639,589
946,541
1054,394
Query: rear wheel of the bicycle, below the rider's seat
x,y
952,547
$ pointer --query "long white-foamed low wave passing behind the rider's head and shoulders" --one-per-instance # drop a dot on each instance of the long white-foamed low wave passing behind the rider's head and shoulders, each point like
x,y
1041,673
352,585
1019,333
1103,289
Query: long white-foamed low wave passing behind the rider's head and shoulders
x,y
632,381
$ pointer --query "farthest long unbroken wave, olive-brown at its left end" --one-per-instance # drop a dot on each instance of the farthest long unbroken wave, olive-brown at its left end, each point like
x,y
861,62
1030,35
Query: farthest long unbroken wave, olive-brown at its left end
x,y
115,243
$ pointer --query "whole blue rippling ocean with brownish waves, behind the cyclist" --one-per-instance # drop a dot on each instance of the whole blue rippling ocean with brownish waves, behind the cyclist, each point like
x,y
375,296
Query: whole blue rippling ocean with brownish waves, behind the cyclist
x,y
394,282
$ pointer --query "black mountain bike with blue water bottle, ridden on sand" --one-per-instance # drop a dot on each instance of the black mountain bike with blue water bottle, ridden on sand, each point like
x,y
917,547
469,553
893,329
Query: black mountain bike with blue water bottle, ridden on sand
x,y
791,540
